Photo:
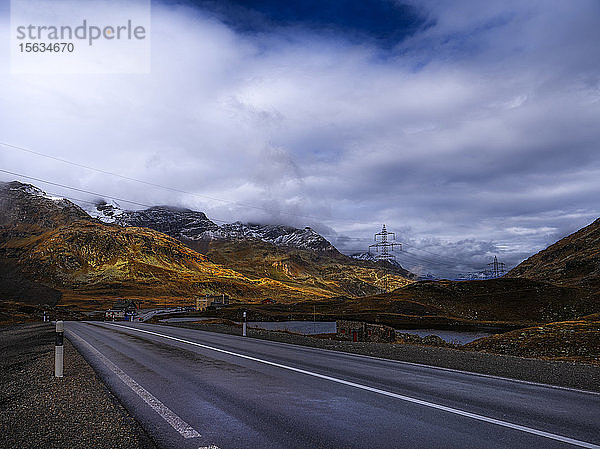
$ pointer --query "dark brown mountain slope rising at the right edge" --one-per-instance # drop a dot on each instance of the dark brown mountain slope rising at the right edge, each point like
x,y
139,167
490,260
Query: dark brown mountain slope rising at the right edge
x,y
572,261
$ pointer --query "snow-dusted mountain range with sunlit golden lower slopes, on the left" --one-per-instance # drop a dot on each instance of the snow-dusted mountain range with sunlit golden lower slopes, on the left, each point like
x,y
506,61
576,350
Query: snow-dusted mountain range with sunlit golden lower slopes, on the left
x,y
167,254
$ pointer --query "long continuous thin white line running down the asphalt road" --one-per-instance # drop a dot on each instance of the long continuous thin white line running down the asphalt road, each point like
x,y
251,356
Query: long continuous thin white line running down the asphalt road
x,y
455,411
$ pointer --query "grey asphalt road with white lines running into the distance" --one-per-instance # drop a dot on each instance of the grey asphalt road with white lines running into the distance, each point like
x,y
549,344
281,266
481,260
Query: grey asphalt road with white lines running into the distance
x,y
195,389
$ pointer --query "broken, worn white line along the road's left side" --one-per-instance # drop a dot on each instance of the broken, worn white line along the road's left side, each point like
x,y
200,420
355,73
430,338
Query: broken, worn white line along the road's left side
x,y
165,412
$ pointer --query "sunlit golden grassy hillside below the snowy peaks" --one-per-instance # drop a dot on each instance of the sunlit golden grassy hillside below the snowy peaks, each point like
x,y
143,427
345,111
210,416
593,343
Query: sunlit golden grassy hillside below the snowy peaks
x,y
87,259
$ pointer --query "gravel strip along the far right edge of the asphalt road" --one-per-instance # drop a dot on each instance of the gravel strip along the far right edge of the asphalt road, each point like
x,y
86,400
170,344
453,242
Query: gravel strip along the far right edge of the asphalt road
x,y
564,374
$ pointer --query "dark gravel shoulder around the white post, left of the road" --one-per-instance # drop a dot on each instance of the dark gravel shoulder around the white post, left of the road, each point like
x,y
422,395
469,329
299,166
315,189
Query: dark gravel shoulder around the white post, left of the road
x,y
38,410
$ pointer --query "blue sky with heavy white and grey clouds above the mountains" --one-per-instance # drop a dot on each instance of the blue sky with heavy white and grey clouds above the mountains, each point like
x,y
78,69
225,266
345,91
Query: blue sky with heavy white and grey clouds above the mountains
x,y
470,128
